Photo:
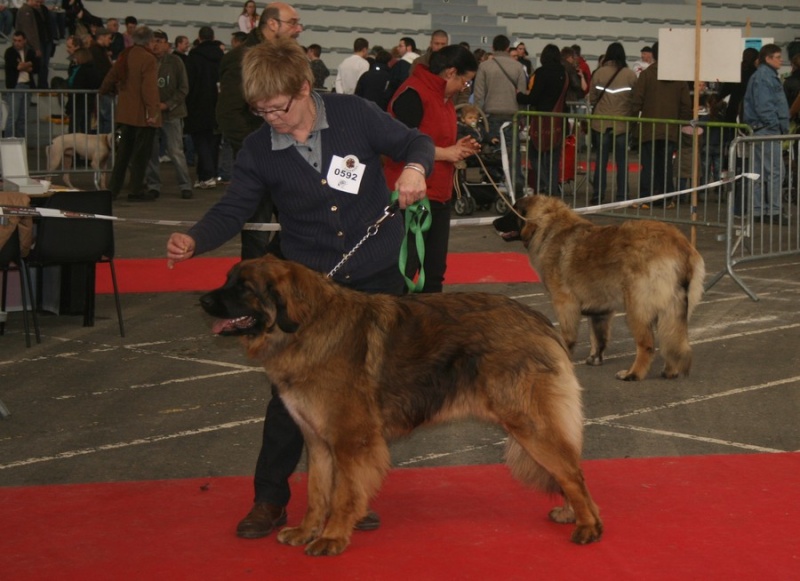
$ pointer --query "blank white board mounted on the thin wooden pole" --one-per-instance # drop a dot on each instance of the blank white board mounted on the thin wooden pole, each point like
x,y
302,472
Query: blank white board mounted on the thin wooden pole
x,y
676,54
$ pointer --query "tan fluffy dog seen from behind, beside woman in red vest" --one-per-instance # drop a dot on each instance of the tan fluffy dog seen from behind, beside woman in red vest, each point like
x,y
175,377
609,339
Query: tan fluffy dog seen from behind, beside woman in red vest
x,y
646,267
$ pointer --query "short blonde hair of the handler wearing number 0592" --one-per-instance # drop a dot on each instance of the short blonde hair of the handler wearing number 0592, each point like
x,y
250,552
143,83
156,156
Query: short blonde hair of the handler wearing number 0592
x,y
274,68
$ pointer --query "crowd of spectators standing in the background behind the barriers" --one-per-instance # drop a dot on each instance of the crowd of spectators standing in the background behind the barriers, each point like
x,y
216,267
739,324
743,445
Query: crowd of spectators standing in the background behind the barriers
x,y
507,79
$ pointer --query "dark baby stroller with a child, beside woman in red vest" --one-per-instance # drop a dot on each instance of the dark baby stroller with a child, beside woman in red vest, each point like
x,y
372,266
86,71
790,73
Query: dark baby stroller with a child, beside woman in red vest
x,y
478,178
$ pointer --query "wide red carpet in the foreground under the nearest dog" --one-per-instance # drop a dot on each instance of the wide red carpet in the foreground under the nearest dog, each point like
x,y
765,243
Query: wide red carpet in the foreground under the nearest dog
x,y
710,517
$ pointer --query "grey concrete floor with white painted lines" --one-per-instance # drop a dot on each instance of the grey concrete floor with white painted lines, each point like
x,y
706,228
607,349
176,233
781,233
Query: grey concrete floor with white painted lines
x,y
172,401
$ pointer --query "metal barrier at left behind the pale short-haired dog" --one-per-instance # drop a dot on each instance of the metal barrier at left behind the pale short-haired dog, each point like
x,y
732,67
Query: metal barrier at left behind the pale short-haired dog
x,y
41,116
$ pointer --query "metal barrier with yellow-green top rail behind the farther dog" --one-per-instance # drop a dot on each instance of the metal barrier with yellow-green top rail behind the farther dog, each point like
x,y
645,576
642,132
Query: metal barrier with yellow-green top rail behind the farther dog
x,y
592,159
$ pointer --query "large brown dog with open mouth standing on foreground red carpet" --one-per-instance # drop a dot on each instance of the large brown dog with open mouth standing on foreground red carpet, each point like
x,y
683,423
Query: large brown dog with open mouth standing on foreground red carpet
x,y
355,370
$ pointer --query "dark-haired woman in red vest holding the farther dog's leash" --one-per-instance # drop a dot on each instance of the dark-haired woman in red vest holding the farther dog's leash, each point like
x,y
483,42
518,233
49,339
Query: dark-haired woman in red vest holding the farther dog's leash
x,y
424,101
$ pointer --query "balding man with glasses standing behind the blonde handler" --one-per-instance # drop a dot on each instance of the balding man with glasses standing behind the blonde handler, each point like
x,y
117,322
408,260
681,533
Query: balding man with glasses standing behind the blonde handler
x,y
278,20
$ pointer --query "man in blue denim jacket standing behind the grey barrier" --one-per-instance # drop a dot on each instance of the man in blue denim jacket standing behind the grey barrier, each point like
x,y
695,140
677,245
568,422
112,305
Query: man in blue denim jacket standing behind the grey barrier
x,y
767,112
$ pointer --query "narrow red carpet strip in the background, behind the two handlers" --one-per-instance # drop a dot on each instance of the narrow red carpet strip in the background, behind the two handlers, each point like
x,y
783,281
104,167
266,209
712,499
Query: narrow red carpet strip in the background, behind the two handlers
x,y
152,275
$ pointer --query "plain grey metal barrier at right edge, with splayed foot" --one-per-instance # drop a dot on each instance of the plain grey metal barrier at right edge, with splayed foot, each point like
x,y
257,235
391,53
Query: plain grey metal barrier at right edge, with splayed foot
x,y
762,215
